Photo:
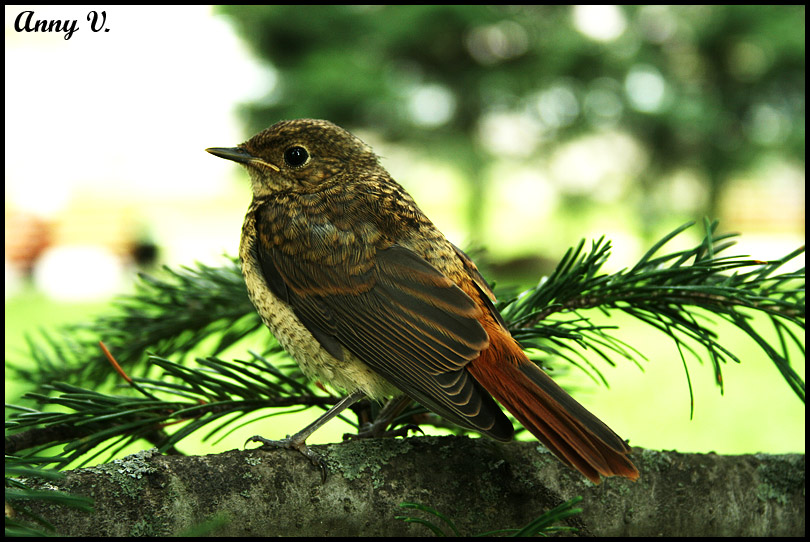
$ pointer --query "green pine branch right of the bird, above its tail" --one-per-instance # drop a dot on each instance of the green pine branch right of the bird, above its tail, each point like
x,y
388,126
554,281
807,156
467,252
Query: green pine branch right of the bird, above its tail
x,y
674,293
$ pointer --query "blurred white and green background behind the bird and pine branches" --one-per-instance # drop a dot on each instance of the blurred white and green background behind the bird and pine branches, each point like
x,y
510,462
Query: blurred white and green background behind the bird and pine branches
x,y
519,130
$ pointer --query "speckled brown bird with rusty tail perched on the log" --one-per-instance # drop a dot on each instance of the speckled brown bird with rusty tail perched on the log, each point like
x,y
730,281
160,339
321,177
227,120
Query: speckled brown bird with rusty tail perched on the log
x,y
367,295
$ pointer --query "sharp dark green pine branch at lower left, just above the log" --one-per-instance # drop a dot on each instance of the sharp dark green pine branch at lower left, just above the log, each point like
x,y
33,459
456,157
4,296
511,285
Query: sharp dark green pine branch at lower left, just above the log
x,y
94,422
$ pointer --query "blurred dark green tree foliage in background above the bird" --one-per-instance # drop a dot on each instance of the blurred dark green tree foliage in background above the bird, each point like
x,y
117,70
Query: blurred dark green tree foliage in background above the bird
x,y
715,89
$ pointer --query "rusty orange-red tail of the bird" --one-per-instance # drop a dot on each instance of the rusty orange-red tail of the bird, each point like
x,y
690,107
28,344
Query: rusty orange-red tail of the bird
x,y
573,434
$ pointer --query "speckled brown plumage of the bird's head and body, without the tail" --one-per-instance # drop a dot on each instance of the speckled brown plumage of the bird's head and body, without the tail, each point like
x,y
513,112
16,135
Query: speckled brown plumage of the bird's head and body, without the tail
x,y
338,235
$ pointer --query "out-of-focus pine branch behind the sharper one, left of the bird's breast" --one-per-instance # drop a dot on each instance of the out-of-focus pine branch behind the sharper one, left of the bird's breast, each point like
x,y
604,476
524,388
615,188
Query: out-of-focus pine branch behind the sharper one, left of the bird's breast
x,y
167,316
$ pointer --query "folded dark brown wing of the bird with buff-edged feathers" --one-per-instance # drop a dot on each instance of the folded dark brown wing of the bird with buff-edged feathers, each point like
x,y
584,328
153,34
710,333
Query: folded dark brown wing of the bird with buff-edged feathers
x,y
394,311
